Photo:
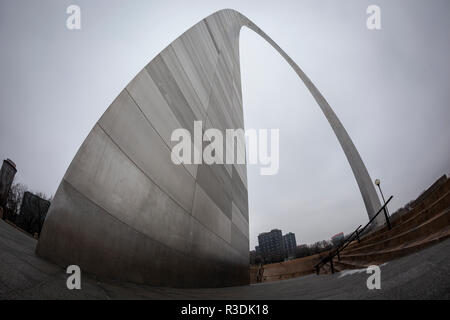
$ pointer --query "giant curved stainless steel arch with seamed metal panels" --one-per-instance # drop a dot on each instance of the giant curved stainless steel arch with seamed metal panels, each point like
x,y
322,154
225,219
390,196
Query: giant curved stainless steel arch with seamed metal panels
x,y
124,211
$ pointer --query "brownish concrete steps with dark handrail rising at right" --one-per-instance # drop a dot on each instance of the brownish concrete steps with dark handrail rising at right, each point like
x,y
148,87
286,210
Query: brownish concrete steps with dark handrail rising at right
x,y
426,223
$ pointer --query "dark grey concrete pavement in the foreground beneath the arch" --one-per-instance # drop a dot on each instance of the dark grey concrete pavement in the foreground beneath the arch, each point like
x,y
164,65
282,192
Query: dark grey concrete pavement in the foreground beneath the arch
x,y
23,275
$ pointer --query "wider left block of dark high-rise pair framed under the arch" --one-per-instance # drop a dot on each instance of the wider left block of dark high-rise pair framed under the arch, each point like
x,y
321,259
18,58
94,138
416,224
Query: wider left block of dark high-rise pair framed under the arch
x,y
271,245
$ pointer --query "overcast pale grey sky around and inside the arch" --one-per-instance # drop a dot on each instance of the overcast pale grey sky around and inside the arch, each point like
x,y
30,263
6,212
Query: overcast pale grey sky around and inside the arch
x,y
389,87
